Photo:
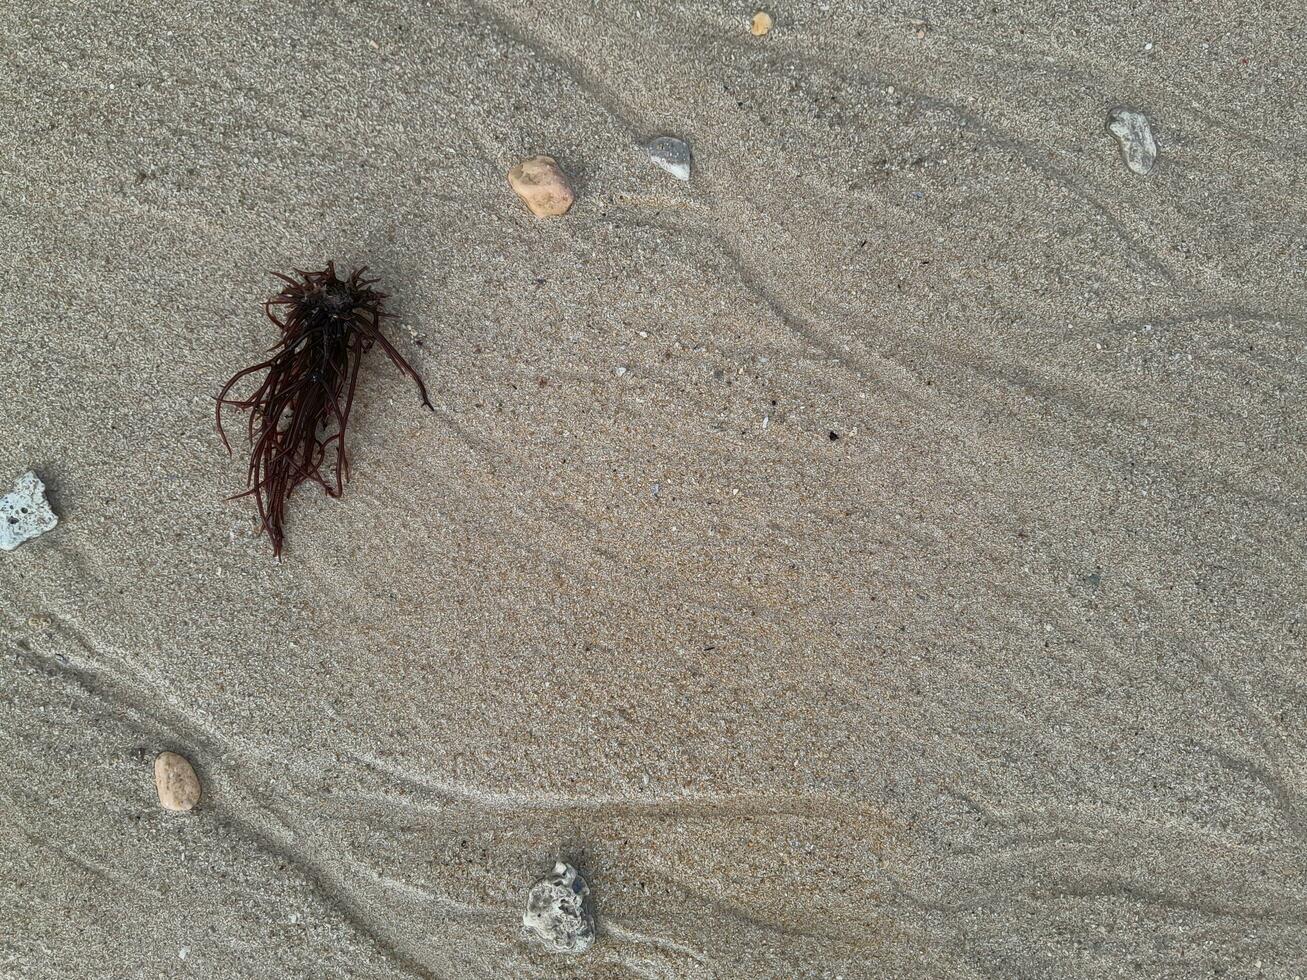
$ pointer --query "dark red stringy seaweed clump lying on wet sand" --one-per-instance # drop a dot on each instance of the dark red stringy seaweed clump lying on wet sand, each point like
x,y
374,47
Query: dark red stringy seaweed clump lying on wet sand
x,y
300,414
